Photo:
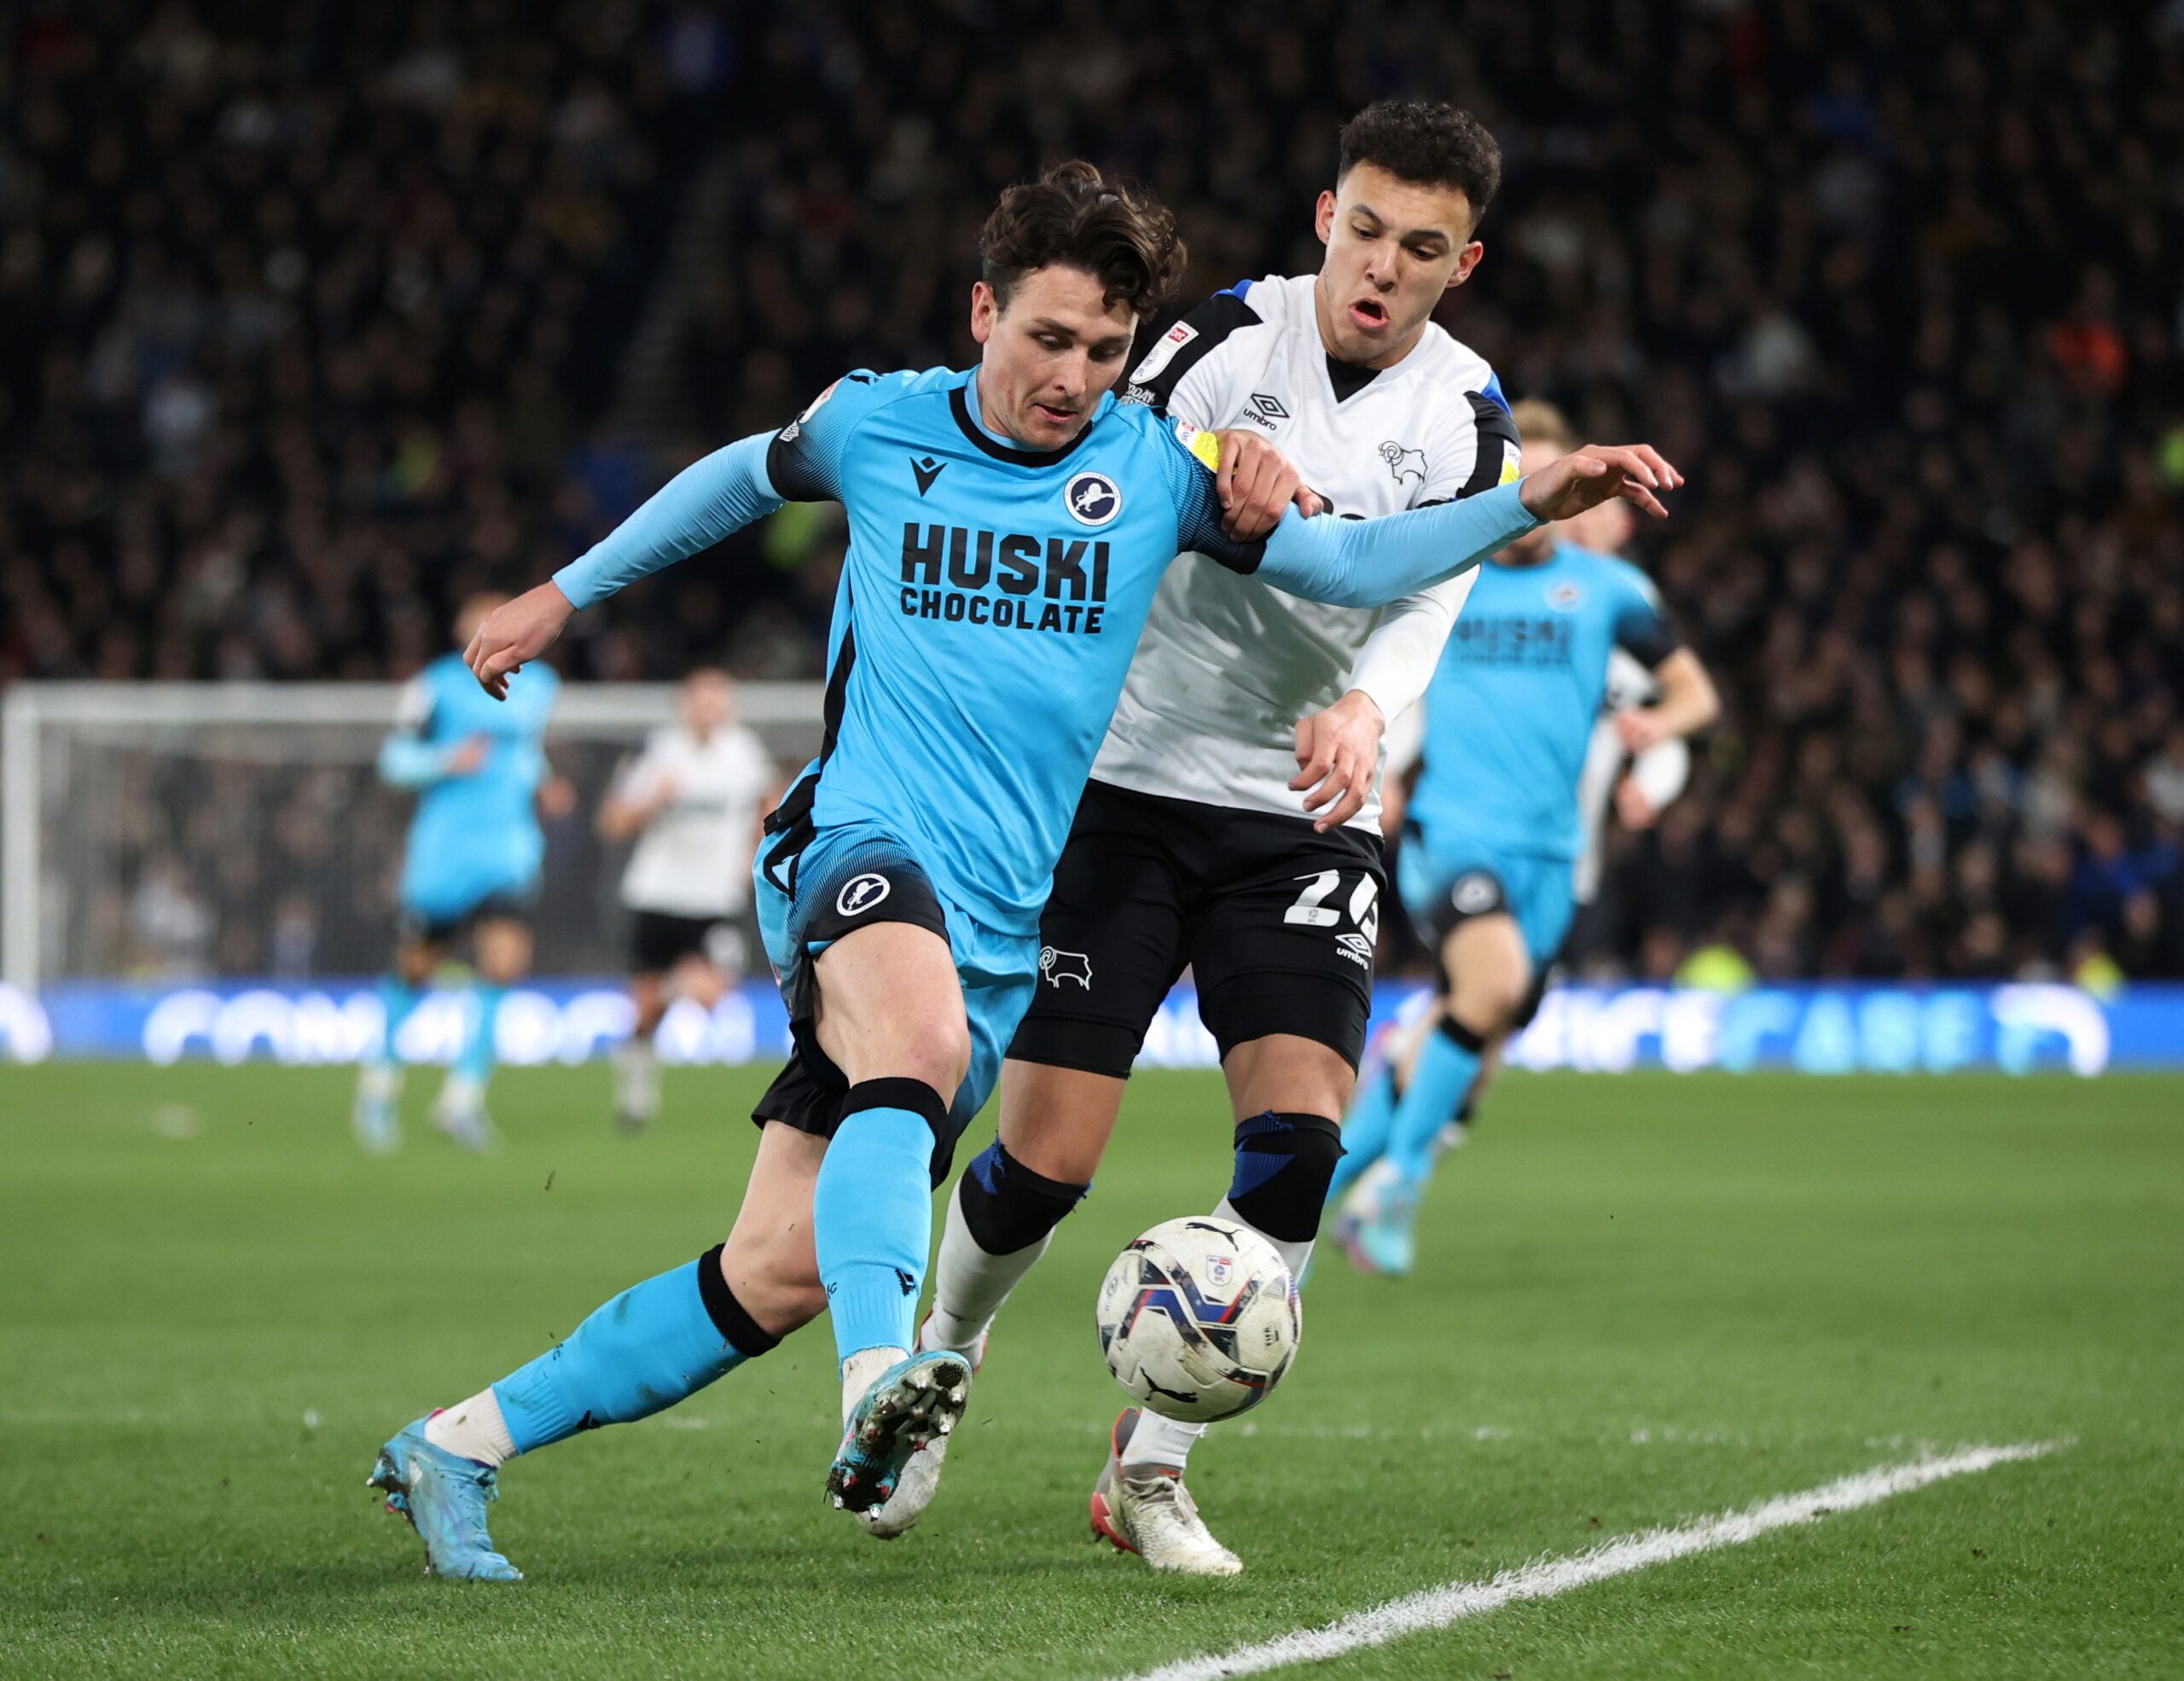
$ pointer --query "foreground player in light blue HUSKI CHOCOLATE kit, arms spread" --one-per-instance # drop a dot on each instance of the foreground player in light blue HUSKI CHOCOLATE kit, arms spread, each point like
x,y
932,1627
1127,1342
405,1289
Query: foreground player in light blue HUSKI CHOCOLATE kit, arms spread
x,y
1008,532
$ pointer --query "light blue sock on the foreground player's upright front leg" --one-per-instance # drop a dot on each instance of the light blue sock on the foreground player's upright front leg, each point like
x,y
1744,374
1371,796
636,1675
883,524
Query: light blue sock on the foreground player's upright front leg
x,y
873,1215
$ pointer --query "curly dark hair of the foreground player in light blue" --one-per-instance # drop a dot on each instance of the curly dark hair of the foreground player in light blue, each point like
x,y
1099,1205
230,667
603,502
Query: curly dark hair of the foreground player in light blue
x,y
1115,230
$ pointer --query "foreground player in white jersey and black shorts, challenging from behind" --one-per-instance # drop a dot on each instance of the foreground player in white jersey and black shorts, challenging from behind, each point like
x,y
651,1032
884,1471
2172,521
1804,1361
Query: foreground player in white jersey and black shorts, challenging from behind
x,y
1233,813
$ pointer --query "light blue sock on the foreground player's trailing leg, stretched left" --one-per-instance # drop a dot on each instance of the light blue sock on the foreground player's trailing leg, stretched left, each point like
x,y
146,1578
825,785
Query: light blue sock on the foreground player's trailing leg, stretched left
x,y
650,1348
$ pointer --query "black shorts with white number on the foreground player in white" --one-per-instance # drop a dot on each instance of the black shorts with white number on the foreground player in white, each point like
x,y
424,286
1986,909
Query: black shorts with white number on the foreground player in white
x,y
1274,922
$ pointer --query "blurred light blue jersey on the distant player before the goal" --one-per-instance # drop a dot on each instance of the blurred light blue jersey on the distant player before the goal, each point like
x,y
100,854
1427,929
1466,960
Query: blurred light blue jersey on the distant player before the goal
x,y
475,833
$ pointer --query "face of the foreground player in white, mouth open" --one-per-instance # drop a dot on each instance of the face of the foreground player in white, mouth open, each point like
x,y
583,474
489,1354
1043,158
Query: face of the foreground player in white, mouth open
x,y
1394,248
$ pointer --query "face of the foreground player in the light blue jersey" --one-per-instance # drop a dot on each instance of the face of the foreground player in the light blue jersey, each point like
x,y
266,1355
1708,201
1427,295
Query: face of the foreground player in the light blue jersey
x,y
1049,357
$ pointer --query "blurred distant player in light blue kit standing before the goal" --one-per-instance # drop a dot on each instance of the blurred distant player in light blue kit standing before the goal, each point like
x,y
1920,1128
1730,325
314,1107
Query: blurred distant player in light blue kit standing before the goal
x,y
473,866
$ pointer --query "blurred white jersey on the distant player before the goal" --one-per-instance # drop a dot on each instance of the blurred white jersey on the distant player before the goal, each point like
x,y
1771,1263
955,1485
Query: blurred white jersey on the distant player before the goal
x,y
696,857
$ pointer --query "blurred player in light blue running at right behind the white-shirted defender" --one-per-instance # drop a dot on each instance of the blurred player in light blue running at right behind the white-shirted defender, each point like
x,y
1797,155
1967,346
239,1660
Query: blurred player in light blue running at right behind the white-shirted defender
x,y
1495,828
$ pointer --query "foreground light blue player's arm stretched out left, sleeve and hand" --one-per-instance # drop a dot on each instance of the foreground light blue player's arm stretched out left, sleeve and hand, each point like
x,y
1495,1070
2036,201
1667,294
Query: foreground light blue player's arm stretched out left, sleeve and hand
x,y
696,510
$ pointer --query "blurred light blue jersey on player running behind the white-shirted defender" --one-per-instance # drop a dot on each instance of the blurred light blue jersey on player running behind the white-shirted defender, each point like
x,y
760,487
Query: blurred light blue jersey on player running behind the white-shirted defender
x,y
1512,704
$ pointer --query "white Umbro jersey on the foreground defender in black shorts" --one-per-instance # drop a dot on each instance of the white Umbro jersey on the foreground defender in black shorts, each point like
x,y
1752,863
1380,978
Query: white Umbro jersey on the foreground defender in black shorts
x,y
1228,667
